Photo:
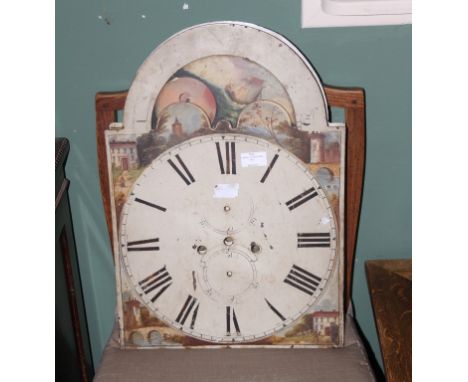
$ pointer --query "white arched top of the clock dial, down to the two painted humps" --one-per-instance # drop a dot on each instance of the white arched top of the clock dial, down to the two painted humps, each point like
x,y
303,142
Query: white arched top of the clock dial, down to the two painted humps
x,y
239,69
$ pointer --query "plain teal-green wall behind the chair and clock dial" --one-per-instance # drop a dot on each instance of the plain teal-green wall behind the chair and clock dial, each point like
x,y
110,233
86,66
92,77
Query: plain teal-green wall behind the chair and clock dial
x,y
92,56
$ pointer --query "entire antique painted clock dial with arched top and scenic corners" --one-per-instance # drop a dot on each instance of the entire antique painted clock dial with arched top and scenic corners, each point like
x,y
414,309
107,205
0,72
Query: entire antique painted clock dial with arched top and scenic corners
x,y
227,197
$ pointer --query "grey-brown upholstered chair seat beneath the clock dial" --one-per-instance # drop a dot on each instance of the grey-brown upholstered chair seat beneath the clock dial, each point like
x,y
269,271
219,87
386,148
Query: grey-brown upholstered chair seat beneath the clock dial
x,y
349,363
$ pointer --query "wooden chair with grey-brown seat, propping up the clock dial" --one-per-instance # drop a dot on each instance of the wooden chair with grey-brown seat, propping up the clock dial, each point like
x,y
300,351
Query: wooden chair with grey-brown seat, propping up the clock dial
x,y
349,363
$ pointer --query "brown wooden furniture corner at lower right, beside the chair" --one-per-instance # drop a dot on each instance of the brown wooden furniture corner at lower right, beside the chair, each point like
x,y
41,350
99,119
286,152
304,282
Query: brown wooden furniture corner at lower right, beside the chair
x,y
390,288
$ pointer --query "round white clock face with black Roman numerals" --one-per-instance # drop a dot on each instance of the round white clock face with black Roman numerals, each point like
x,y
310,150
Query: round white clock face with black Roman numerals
x,y
228,238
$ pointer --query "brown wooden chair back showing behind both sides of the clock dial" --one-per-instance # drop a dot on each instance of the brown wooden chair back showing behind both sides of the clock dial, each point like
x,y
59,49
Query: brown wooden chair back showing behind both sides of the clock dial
x,y
352,100
